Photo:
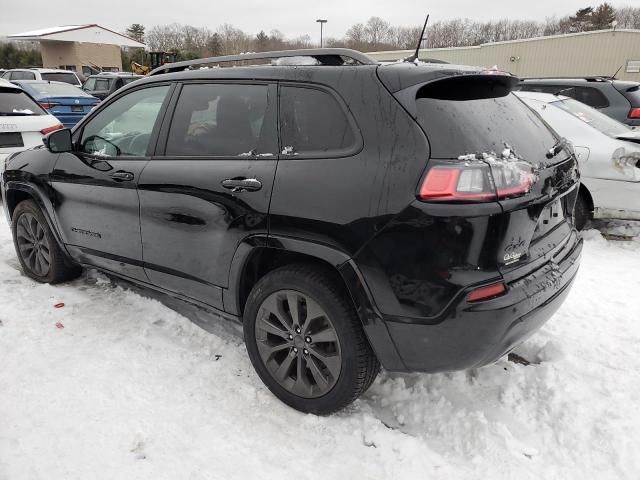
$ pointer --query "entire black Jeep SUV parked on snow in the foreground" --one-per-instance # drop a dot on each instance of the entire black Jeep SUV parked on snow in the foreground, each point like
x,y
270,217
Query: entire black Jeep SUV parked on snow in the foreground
x,y
349,214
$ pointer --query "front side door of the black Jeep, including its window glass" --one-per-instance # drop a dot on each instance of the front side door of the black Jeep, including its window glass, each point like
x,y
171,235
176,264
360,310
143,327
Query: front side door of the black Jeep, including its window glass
x,y
96,201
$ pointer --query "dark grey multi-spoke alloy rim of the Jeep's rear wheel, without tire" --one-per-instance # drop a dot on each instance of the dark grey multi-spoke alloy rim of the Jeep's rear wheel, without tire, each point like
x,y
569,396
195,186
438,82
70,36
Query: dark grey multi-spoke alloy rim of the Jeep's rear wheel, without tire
x,y
298,343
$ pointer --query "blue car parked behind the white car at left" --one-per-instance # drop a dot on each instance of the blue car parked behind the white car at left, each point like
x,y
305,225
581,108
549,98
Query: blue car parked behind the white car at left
x,y
62,100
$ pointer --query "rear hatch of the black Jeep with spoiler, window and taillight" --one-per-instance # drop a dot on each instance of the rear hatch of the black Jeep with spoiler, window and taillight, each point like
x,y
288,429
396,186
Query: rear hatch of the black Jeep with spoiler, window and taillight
x,y
498,150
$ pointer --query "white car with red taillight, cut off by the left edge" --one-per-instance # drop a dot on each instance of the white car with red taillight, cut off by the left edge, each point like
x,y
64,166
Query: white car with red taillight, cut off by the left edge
x,y
23,122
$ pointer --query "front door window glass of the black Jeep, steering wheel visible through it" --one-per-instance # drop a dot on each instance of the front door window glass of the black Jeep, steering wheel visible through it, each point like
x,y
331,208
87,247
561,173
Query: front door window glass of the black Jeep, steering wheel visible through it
x,y
124,127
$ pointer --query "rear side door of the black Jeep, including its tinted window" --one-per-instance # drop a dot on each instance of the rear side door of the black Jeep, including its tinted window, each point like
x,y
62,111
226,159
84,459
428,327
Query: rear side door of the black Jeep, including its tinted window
x,y
209,186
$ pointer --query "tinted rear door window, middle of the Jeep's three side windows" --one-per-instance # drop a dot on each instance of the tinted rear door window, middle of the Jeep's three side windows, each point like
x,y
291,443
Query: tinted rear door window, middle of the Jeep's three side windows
x,y
222,120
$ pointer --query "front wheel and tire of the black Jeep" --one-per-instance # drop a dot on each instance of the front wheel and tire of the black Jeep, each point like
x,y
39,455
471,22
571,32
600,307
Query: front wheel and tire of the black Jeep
x,y
30,227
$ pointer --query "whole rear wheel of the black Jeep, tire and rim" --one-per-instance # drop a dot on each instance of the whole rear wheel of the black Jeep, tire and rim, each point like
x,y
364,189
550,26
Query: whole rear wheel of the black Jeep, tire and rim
x,y
306,342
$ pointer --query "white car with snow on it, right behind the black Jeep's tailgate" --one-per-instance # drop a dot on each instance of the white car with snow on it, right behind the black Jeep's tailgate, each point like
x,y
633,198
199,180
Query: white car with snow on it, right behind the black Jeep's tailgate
x,y
608,154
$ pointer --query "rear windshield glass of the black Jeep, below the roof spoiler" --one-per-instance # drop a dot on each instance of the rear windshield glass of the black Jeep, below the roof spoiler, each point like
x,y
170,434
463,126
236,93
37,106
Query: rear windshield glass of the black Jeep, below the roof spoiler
x,y
483,125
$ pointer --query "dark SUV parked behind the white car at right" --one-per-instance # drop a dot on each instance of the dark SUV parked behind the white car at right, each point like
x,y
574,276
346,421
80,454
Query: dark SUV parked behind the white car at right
x,y
616,98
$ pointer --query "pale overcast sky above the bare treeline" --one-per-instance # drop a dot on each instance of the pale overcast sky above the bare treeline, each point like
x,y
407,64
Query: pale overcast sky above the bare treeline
x,y
291,17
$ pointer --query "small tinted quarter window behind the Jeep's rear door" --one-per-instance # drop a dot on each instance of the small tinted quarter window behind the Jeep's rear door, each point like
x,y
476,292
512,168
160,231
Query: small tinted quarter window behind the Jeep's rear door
x,y
313,123
